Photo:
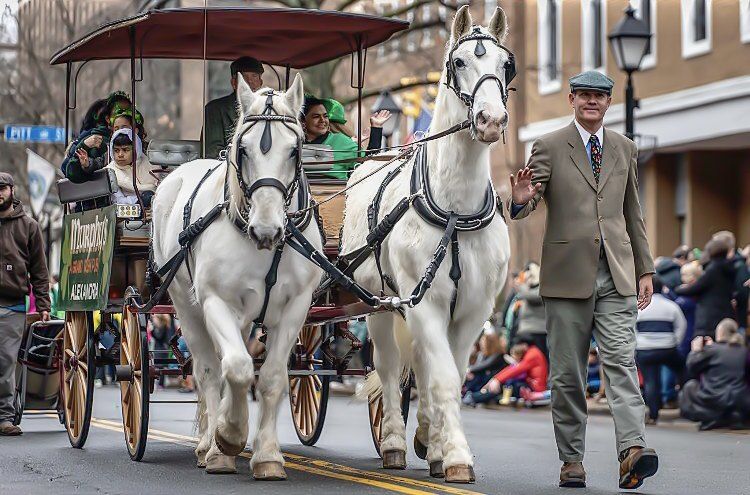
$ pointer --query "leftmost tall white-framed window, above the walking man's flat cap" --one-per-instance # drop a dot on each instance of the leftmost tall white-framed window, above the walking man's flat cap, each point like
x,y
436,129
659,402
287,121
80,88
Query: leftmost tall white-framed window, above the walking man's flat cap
x,y
550,45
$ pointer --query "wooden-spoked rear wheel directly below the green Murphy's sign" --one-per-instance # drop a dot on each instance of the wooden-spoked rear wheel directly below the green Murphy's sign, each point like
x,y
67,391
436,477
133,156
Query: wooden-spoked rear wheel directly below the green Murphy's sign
x,y
77,373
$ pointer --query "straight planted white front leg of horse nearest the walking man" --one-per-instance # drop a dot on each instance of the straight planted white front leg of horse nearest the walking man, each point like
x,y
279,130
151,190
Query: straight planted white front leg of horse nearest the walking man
x,y
426,321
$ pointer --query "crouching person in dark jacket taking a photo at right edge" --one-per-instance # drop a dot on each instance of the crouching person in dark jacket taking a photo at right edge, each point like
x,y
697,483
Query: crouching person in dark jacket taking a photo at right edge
x,y
718,394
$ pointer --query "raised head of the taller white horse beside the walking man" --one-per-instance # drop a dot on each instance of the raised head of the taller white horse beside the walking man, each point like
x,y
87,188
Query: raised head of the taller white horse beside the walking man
x,y
478,70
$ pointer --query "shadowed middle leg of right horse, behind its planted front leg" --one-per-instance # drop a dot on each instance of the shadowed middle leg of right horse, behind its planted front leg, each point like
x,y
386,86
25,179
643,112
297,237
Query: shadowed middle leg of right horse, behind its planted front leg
x,y
427,443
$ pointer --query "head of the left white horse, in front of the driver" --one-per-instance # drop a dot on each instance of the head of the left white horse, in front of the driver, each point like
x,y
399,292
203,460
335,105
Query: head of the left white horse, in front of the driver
x,y
265,154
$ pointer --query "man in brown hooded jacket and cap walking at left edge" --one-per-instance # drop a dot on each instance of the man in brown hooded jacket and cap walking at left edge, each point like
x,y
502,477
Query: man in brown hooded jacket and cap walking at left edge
x,y
22,262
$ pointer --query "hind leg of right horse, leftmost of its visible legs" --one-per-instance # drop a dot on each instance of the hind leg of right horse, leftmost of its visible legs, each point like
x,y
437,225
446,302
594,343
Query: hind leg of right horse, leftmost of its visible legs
x,y
388,365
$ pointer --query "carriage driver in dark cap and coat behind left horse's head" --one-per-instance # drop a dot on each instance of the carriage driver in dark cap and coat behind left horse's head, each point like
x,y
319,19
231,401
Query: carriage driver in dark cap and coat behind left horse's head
x,y
221,113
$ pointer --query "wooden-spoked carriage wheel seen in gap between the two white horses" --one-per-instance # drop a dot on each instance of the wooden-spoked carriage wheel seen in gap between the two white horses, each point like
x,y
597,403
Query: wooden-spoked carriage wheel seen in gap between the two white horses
x,y
308,394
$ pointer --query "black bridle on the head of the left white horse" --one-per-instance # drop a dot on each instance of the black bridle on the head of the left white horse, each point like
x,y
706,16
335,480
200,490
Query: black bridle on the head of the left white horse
x,y
268,116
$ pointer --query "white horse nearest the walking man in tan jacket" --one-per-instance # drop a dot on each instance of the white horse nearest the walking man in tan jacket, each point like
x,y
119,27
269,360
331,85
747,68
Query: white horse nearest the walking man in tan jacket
x,y
433,342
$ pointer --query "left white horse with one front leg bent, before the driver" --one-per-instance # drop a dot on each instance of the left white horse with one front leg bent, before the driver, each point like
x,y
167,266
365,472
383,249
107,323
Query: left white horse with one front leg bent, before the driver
x,y
223,291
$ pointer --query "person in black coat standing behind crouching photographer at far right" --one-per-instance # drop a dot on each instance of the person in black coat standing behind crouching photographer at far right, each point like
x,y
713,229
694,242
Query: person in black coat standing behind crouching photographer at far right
x,y
713,290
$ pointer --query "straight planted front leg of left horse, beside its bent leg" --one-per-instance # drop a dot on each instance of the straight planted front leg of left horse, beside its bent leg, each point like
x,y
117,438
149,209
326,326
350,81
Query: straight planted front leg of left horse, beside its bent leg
x,y
267,462
